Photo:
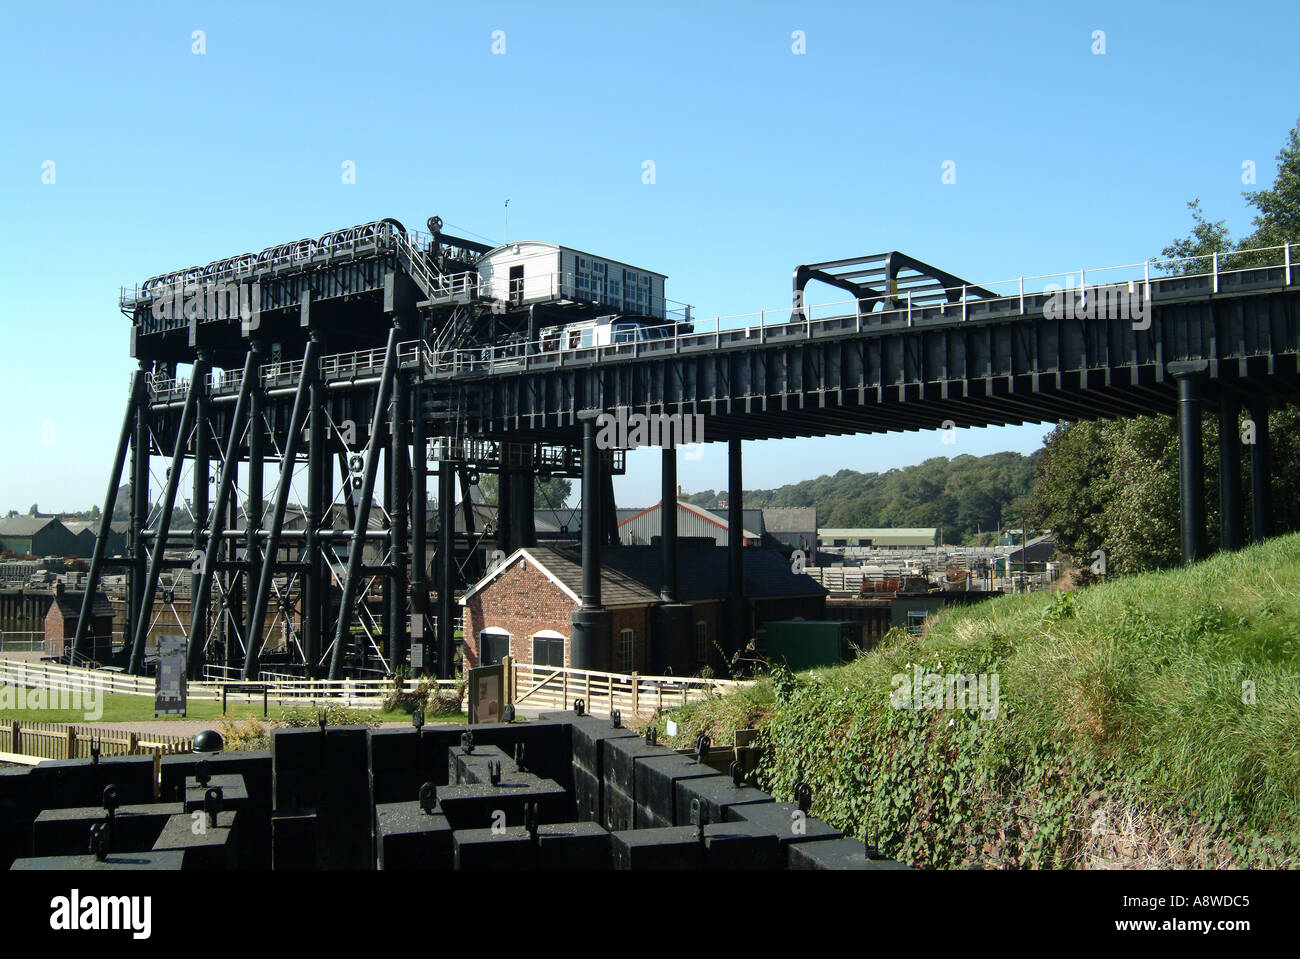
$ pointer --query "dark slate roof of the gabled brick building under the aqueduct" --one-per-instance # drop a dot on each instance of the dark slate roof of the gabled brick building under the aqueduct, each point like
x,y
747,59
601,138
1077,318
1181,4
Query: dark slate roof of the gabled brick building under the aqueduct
x,y
632,575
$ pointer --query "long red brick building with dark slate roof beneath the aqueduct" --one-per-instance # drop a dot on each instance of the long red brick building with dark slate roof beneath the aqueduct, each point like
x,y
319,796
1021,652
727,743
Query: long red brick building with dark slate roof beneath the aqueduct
x,y
523,607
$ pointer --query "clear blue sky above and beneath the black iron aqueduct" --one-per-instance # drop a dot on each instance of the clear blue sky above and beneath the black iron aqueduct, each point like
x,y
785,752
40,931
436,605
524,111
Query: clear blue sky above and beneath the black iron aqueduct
x,y
764,159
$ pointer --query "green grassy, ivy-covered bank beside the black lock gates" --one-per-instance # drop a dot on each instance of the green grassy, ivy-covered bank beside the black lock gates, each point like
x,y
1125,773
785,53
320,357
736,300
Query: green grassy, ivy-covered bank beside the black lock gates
x,y
1150,722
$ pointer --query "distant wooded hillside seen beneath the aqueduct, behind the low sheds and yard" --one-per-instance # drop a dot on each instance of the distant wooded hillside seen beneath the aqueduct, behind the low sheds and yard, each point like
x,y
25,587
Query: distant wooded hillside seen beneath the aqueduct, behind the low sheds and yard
x,y
964,496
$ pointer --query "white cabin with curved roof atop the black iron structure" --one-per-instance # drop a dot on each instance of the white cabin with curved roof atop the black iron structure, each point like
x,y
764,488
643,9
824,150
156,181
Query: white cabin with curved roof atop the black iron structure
x,y
535,272
